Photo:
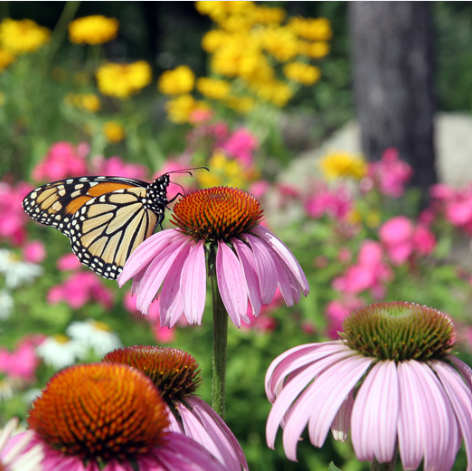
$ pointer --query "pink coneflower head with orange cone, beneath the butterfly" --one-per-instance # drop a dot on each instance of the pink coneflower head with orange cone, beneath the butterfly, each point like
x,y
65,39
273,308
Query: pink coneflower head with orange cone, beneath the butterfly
x,y
222,224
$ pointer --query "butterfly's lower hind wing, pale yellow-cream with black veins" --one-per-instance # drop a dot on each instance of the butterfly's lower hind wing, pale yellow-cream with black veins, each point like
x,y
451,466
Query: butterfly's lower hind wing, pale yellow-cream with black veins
x,y
107,229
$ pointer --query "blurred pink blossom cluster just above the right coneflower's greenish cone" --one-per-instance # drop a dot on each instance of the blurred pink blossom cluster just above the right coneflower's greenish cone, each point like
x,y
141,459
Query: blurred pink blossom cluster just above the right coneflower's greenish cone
x,y
370,272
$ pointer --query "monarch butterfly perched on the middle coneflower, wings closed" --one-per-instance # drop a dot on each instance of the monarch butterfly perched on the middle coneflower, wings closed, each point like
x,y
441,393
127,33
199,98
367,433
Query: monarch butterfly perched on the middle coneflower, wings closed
x,y
105,218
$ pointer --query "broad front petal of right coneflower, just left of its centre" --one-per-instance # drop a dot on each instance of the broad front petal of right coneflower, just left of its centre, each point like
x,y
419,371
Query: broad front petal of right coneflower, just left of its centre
x,y
375,414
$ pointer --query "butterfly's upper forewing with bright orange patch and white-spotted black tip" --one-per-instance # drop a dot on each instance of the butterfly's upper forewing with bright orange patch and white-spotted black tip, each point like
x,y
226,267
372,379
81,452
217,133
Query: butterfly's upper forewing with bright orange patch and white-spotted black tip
x,y
55,204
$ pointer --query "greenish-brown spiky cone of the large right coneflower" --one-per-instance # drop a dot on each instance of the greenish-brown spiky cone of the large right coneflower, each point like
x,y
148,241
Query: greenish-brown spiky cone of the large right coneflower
x,y
399,331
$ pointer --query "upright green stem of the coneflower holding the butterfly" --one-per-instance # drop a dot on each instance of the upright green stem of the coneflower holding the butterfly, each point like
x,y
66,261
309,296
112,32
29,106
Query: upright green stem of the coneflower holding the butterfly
x,y
220,342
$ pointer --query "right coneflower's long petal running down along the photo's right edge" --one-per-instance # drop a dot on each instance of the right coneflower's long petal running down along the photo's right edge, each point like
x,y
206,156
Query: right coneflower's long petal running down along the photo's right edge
x,y
461,399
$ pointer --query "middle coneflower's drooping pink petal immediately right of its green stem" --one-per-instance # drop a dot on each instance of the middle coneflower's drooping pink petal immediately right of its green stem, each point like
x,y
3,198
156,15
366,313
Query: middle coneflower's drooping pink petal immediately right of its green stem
x,y
231,283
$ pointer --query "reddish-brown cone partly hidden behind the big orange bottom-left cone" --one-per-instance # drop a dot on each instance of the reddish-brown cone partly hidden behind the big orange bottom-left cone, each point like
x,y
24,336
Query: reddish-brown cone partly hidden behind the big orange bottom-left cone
x,y
174,372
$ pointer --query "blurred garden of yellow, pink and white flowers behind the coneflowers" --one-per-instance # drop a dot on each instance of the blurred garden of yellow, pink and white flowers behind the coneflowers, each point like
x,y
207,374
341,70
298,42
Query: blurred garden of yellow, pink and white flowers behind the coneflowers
x,y
263,87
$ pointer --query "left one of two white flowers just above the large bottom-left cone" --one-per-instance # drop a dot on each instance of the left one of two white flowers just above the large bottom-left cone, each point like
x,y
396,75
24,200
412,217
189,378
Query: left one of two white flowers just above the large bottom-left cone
x,y
59,351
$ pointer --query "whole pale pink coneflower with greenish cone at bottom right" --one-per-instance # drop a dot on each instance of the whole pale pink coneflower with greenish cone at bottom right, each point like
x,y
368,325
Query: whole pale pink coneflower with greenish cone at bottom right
x,y
391,380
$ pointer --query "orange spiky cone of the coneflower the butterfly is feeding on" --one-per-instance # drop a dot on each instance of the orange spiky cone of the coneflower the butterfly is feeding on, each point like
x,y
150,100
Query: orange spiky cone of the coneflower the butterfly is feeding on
x,y
218,213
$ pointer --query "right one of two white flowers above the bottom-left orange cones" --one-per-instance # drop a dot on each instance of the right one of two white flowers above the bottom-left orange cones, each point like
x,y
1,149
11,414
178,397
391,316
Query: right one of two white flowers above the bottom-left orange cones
x,y
94,335
